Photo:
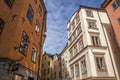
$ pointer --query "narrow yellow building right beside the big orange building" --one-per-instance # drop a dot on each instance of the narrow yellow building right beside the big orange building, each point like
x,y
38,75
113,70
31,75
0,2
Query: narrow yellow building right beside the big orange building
x,y
47,67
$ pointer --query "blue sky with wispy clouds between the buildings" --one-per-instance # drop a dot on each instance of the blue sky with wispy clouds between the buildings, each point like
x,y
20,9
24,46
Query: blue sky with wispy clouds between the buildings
x,y
59,13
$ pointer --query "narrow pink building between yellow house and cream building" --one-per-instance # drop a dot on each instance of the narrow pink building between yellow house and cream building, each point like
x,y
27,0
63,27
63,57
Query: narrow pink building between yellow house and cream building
x,y
57,67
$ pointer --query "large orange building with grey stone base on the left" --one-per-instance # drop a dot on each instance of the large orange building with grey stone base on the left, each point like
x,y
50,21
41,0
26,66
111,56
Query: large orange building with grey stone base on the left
x,y
22,27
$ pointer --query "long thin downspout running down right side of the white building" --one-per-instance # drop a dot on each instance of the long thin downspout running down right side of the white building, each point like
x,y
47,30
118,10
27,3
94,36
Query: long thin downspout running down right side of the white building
x,y
107,44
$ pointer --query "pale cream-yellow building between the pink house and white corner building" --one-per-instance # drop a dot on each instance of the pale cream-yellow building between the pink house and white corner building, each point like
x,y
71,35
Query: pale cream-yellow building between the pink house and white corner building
x,y
65,68
